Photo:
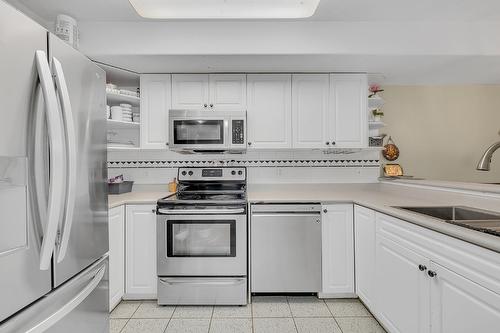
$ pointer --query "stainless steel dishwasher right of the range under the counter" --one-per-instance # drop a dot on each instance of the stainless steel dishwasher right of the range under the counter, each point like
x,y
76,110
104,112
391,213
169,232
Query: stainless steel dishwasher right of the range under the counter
x,y
285,248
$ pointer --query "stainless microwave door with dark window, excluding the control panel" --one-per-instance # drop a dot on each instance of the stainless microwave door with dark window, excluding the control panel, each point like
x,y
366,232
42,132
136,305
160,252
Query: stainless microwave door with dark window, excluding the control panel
x,y
199,133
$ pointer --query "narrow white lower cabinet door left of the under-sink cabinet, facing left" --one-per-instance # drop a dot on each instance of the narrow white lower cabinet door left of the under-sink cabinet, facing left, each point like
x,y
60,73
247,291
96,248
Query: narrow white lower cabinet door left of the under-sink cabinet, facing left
x,y
365,259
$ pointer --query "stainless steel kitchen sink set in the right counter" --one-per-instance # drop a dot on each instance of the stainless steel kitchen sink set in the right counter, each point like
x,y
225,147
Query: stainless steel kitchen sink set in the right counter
x,y
472,218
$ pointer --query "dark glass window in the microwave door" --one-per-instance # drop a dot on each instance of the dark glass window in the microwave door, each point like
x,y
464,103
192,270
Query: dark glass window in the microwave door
x,y
199,131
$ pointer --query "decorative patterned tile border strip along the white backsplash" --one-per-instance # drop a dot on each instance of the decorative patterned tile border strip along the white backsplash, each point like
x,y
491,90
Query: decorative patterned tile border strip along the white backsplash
x,y
247,163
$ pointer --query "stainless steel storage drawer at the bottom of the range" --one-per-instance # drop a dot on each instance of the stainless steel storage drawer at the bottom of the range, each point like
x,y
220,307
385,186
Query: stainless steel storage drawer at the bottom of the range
x,y
202,291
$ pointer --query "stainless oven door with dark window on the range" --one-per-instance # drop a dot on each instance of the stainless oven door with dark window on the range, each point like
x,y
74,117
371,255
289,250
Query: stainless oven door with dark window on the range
x,y
202,245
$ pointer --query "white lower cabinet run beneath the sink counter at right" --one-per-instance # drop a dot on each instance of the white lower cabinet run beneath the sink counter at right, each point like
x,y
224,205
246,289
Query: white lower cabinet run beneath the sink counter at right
x,y
423,281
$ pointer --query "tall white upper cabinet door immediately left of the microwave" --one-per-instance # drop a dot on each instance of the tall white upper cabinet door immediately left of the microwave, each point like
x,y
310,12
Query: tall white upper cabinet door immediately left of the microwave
x,y
155,103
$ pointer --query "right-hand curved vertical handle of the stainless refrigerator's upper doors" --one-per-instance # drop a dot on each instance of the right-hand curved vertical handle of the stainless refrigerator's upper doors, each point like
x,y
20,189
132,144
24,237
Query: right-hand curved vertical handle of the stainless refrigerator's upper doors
x,y
67,115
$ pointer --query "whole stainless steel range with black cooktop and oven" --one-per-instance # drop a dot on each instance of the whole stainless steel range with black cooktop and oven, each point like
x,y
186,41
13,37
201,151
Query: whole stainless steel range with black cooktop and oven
x,y
202,238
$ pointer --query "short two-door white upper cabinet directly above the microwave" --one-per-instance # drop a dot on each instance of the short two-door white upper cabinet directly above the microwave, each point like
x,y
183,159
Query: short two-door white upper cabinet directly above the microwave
x,y
209,92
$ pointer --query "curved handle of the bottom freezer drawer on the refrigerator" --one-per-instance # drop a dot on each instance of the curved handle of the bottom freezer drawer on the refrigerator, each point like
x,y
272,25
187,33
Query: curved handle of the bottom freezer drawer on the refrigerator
x,y
71,305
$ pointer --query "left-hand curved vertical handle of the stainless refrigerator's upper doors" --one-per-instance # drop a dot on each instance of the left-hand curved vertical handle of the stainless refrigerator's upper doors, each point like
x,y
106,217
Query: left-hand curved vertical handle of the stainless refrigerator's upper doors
x,y
57,161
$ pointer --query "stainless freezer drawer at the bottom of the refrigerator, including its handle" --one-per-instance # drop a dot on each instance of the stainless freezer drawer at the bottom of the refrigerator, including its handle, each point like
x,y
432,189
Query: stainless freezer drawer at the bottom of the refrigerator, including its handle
x,y
78,306
